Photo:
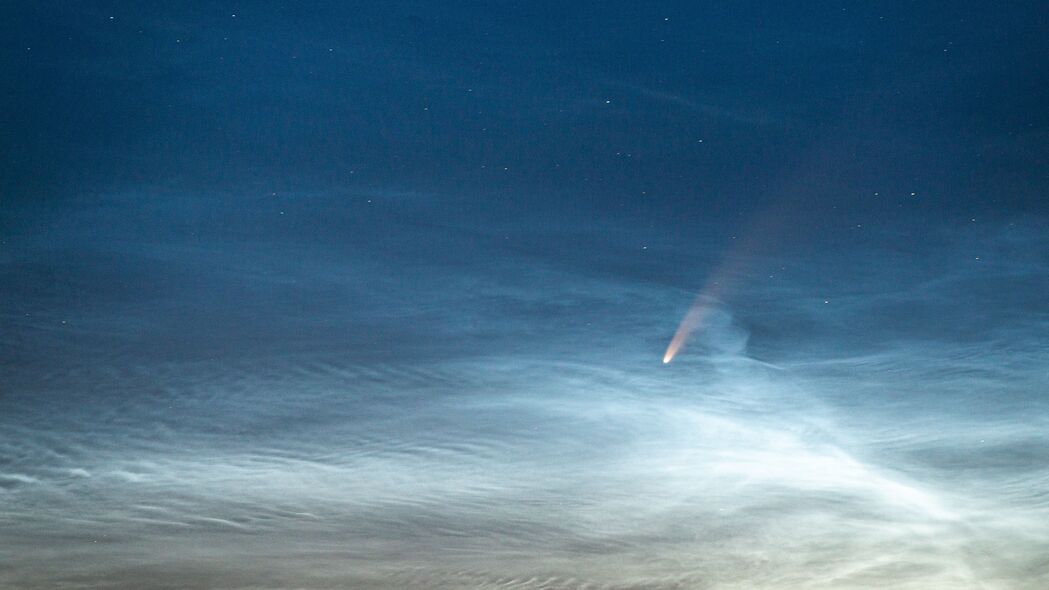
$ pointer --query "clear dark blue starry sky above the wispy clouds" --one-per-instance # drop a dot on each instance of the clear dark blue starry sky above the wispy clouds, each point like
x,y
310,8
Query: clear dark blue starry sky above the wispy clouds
x,y
600,108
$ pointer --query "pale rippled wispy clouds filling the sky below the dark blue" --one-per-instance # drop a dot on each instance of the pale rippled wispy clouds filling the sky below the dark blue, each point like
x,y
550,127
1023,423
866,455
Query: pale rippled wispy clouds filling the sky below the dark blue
x,y
212,397
